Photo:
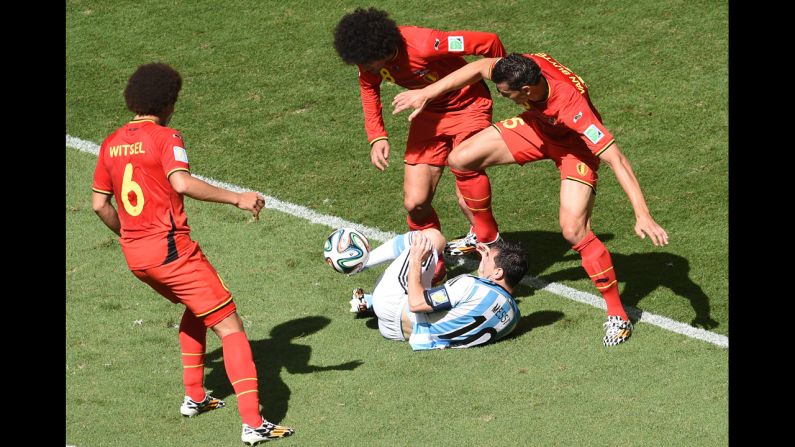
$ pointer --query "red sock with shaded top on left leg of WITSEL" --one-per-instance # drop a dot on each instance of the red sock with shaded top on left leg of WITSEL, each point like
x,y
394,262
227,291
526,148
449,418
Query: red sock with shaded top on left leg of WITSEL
x,y
193,343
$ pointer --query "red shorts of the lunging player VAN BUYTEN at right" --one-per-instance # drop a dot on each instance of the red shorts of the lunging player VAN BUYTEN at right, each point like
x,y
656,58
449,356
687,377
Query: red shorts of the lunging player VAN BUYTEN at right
x,y
572,157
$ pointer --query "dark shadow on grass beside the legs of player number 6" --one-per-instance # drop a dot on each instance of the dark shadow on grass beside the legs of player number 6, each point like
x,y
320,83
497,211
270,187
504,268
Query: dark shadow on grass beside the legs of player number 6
x,y
270,356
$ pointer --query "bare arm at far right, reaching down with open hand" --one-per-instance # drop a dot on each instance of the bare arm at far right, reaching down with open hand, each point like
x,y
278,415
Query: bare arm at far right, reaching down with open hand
x,y
644,223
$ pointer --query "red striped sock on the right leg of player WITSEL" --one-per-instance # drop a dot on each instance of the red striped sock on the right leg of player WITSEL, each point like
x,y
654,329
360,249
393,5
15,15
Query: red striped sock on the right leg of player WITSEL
x,y
242,373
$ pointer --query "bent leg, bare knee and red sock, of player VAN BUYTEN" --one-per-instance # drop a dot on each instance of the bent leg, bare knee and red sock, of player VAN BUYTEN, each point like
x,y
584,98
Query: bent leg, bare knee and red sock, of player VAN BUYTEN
x,y
468,162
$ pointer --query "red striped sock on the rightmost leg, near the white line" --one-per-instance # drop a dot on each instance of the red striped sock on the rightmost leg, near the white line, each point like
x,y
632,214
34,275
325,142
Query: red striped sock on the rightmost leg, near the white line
x,y
597,263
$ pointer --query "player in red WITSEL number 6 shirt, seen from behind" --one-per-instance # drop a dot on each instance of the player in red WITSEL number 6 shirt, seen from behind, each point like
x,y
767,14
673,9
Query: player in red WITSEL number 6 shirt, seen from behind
x,y
145,165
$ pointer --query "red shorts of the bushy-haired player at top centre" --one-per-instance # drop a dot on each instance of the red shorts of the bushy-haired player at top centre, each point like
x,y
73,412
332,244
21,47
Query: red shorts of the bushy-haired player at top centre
x,y
433,135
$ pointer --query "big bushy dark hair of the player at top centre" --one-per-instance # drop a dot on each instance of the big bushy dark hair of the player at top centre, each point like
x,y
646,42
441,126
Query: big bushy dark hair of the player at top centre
x,y
365,36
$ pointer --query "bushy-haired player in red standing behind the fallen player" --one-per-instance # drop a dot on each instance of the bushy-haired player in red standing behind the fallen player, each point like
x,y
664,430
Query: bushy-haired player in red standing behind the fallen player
x,y
414,57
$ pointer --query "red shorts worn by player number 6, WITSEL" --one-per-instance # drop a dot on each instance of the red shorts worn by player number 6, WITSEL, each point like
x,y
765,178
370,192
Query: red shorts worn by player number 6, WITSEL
x,y
192,281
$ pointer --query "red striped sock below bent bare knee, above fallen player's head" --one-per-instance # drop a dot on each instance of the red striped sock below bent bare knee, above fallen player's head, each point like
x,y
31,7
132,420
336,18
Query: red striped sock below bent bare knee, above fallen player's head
x,y
476,191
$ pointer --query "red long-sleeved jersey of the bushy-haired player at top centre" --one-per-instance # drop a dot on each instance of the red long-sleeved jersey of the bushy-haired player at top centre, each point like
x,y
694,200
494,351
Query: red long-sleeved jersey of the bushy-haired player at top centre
x,y
428,55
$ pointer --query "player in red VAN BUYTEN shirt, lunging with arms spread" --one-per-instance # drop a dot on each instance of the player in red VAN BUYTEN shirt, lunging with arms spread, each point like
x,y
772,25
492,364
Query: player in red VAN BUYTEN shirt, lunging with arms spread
x,y
559,123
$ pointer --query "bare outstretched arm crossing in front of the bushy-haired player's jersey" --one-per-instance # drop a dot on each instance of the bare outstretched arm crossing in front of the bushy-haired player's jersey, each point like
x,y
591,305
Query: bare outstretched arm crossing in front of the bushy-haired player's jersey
x,y
466,75
